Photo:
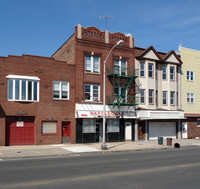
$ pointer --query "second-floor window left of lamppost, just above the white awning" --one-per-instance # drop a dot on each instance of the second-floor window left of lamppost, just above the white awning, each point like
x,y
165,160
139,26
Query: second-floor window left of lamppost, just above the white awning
x,y
92,92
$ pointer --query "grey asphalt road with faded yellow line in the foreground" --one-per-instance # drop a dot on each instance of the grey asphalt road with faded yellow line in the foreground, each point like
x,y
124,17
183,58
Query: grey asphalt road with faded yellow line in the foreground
x,y
167,168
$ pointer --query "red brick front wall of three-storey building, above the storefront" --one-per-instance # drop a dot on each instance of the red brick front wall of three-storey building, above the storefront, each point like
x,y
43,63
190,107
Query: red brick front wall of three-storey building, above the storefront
x,y
85,47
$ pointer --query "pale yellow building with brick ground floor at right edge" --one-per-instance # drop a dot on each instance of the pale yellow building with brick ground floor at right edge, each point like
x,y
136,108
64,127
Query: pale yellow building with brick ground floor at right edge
x,y
190,91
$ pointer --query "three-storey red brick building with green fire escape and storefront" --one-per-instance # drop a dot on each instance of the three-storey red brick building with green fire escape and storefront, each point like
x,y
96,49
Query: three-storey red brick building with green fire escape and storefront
x,y
87,49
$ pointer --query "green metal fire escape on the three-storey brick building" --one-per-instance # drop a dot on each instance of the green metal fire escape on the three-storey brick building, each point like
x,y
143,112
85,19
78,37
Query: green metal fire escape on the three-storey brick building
x,y
124,84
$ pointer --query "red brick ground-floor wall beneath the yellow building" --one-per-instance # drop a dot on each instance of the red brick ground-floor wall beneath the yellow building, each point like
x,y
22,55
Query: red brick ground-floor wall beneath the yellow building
x,y
193,130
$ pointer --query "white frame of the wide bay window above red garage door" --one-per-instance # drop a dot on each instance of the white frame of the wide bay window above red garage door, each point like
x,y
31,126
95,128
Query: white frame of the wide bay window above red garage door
x,y
22,79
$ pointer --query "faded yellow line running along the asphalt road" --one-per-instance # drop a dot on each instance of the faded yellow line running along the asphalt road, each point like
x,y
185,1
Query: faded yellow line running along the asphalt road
x,y
90,177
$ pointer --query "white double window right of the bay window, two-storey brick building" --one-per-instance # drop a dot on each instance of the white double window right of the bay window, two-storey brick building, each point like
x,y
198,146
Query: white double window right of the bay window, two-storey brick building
x,y
61,90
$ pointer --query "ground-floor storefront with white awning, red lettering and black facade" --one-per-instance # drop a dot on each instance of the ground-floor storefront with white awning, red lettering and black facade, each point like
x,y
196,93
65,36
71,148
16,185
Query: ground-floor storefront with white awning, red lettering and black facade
x,y
89,123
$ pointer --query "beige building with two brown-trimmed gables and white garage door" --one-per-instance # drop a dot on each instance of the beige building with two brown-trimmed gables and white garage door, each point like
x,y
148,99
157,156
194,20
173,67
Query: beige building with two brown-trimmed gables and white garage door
x,y
158,112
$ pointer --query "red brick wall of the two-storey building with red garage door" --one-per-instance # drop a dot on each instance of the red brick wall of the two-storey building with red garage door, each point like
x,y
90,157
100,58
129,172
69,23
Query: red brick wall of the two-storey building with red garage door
x,y
48,70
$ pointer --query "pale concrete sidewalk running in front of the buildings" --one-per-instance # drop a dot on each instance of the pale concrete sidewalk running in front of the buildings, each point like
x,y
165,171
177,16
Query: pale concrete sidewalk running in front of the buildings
x,y
64,149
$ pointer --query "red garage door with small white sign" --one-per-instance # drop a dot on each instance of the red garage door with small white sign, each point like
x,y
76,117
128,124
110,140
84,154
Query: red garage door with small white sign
x,y
20,130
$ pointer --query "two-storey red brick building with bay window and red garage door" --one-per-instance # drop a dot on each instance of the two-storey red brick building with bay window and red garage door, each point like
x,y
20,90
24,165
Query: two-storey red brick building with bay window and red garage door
x,y
37,100
